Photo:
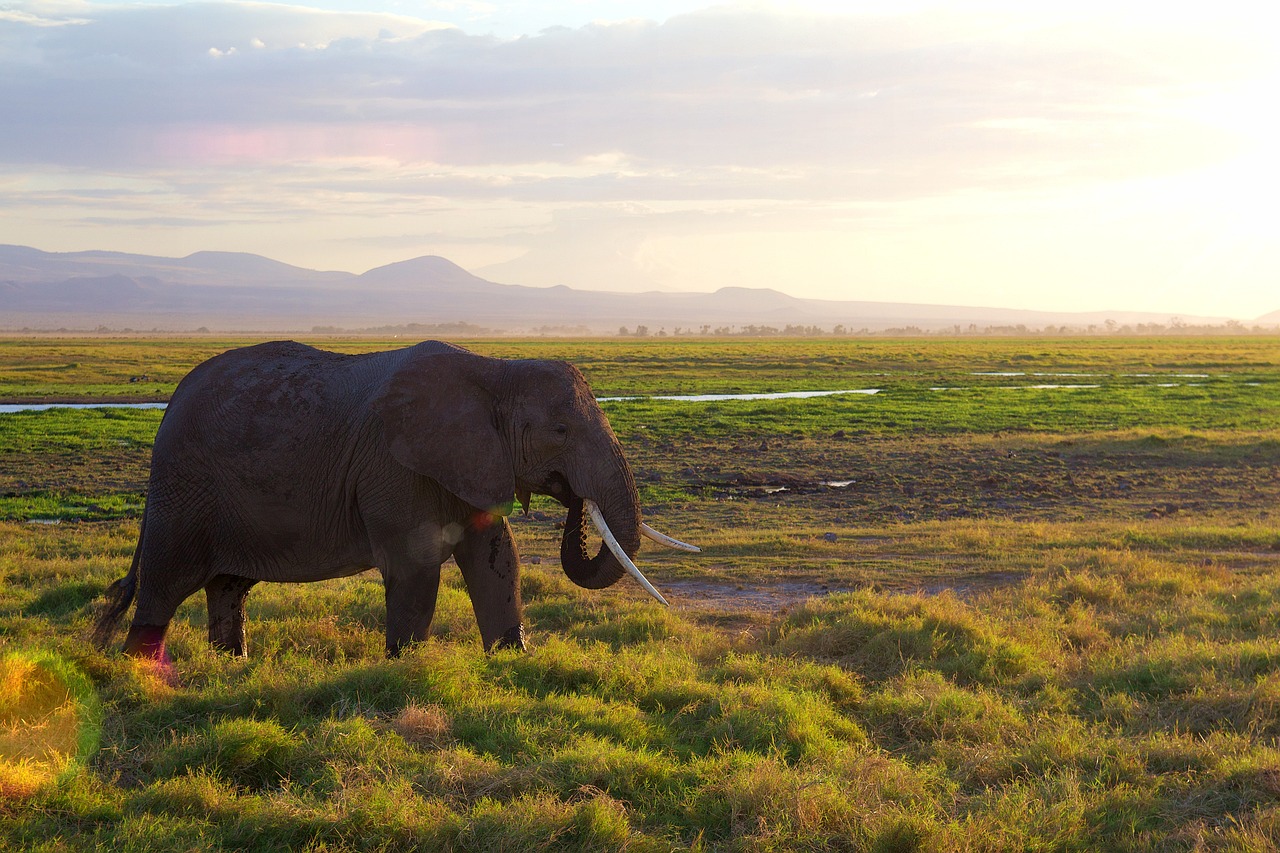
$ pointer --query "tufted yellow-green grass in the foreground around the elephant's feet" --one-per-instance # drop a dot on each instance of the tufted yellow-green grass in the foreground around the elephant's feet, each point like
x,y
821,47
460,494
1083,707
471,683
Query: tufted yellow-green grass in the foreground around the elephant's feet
x,y
1112,701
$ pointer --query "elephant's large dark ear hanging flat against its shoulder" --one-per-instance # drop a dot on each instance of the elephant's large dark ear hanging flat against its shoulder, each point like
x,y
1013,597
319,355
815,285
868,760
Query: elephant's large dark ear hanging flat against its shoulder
x,y
440,421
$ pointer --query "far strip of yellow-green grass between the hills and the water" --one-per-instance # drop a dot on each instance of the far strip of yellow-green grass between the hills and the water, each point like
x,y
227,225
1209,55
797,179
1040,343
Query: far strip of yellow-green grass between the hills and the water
x,y
103,368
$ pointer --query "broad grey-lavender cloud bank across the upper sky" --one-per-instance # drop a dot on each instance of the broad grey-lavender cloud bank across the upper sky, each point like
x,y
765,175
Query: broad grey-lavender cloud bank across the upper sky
x,y
716,94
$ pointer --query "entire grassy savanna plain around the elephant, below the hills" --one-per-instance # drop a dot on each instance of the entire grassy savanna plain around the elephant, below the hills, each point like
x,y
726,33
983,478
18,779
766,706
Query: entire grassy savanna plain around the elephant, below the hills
x,y
1025,596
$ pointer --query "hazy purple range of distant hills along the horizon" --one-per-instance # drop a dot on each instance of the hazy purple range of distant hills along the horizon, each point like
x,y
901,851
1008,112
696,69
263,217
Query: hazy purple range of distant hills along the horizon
x,y
230,291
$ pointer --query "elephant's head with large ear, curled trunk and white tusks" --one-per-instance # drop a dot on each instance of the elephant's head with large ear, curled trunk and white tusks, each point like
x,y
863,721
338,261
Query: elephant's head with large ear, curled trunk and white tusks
x,y
491,431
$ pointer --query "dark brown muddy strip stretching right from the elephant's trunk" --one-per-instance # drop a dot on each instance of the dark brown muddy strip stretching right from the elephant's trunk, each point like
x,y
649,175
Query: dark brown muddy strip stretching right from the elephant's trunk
x,y
852,480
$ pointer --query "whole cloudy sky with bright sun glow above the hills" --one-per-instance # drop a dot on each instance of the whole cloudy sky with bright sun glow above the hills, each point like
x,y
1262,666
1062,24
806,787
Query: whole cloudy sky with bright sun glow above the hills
x,y
1036,156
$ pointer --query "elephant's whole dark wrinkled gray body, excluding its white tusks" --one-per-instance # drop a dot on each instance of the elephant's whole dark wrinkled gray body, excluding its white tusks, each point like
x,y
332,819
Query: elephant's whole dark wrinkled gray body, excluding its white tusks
x,y
282,463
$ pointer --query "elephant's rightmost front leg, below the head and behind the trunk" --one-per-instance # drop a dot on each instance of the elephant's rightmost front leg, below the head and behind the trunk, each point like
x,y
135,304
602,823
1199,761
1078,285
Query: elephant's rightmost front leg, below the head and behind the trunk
x,y
491,569
